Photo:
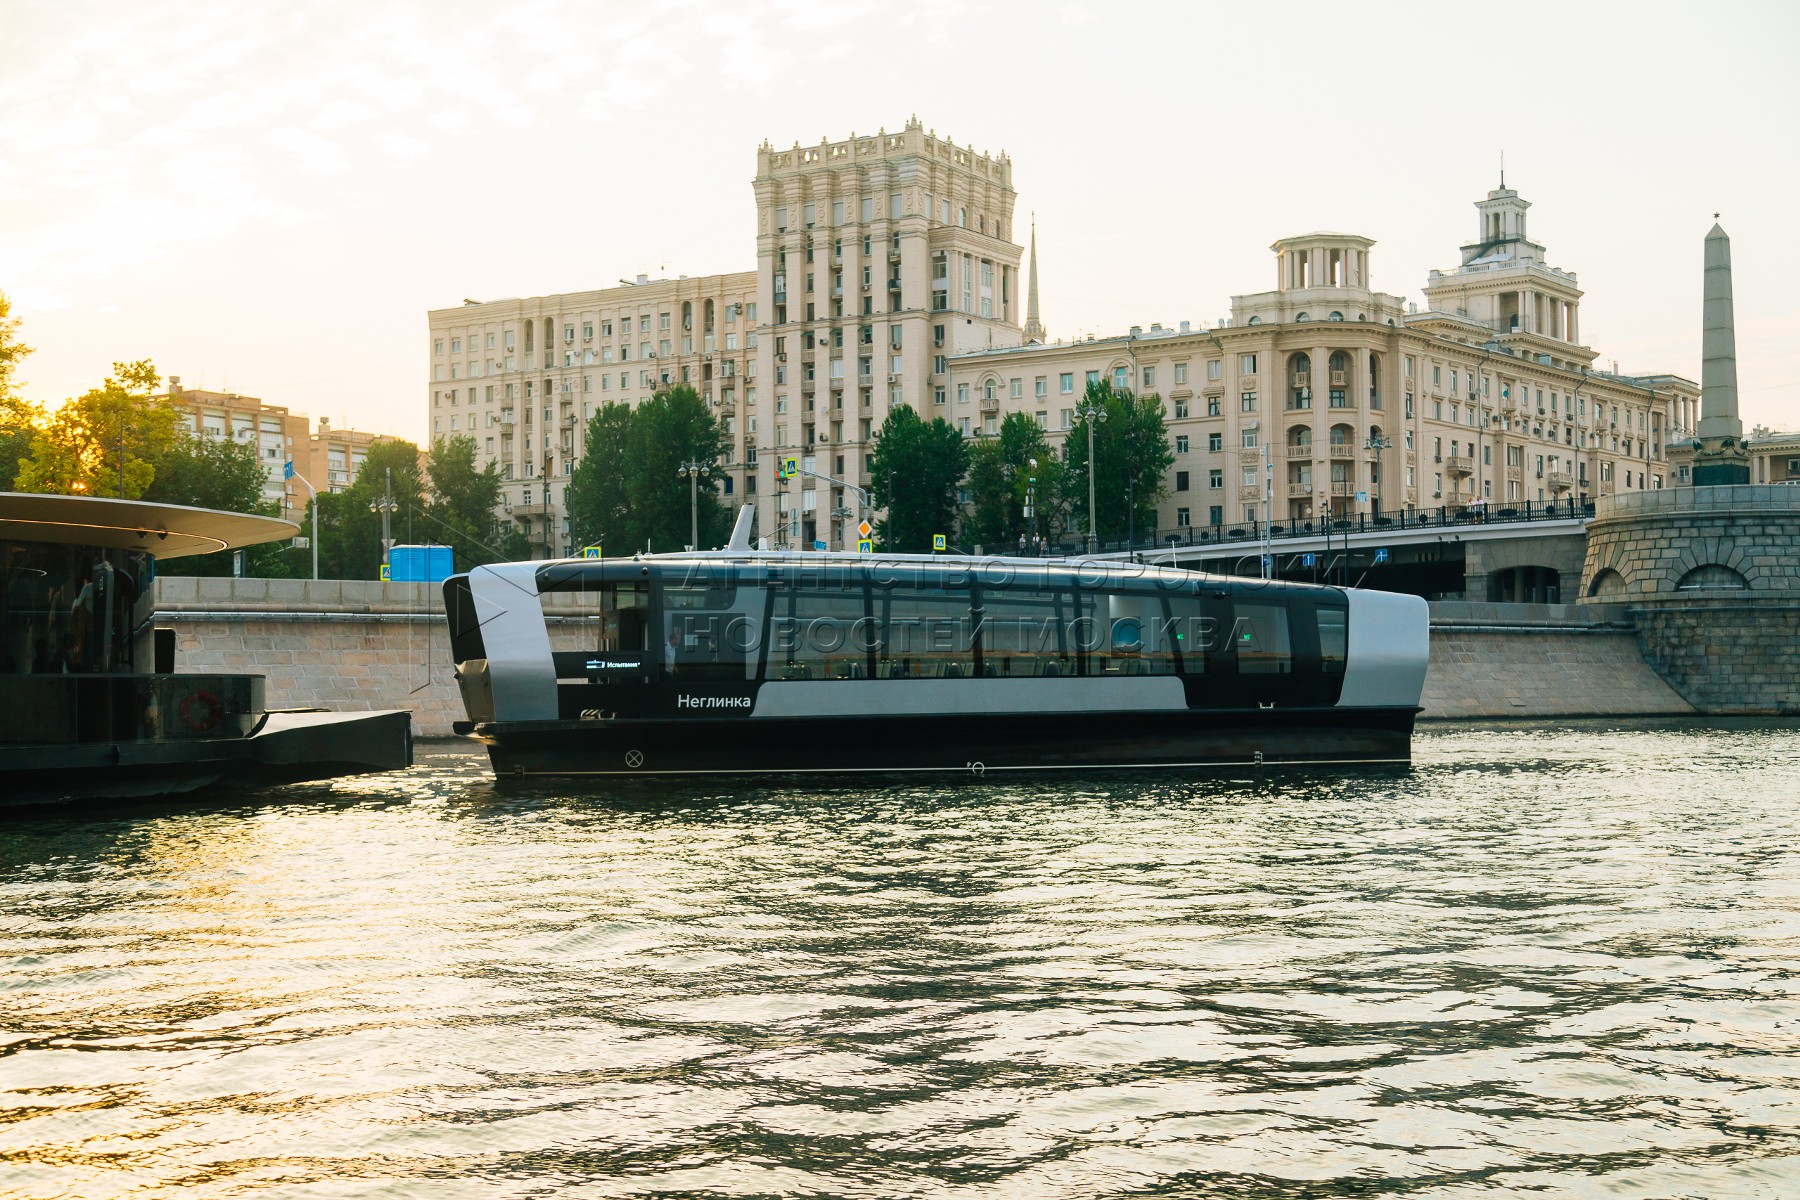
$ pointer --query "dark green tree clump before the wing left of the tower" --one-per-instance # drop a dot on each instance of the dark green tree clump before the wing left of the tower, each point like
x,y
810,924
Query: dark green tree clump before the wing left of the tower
x,y
627,492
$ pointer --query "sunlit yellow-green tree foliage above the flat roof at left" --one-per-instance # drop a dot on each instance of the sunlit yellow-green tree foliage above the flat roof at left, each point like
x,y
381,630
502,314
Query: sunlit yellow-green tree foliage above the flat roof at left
x,y
78,449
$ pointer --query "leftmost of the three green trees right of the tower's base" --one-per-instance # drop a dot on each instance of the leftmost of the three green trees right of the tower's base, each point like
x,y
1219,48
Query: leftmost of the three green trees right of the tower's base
x,y
919,470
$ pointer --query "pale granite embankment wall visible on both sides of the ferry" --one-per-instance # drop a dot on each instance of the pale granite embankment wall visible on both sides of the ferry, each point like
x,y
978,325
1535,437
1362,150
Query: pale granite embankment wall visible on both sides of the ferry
x,y
364,645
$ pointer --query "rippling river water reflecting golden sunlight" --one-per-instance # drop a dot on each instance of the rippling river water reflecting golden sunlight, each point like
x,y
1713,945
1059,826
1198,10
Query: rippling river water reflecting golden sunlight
x,y
1543,962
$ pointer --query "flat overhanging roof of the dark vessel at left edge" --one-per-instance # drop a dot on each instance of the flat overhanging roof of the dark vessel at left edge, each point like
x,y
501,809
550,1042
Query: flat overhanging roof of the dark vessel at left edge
x,y
165,530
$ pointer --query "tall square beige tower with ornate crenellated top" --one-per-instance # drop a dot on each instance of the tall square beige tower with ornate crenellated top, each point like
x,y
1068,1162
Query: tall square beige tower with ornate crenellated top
x,y
877,258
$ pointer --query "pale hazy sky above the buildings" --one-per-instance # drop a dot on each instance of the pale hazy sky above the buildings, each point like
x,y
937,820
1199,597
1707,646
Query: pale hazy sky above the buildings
x,y
269,197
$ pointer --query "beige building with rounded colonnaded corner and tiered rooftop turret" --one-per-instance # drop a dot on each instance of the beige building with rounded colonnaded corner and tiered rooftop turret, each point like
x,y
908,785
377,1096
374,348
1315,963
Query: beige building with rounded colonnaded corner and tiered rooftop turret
x,y
1326,397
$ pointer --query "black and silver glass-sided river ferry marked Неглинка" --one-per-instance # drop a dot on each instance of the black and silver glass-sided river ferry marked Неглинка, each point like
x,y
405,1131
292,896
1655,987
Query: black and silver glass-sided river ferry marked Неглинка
x,y
777,663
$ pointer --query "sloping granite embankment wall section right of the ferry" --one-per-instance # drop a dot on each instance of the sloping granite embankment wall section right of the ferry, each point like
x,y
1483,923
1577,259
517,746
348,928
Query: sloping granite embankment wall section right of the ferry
x,y
1538,661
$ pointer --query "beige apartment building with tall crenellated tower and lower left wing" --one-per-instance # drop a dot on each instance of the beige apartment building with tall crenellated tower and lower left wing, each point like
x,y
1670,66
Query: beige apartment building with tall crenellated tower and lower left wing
x,y
877,260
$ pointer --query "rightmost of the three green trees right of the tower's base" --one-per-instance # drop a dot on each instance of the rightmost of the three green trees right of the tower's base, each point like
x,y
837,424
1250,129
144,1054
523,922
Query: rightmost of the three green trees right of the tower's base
x,y
1131,447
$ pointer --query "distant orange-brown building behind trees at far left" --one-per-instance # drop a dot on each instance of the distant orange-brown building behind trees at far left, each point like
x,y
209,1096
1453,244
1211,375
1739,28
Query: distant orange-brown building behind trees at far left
x,y
327,458
